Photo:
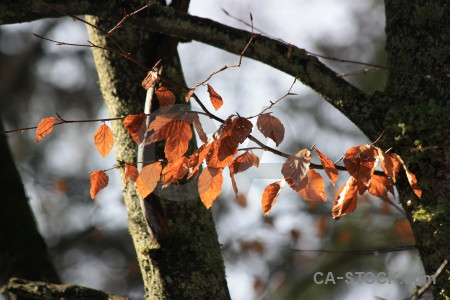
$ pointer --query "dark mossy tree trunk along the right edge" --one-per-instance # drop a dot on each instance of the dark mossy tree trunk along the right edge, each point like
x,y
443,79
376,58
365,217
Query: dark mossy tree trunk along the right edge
x,y
415,116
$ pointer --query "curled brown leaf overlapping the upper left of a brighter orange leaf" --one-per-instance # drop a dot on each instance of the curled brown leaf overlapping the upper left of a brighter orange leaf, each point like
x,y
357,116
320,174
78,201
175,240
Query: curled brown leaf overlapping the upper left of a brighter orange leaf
x,y
295,168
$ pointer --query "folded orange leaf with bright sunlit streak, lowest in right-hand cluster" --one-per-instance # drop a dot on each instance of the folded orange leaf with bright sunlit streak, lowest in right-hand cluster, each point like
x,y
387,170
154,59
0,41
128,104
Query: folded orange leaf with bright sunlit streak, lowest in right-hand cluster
x,y
346,200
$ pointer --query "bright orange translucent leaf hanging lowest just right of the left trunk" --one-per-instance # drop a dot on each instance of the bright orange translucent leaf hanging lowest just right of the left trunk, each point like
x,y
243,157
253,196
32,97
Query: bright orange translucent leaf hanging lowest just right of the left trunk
x,y
210,185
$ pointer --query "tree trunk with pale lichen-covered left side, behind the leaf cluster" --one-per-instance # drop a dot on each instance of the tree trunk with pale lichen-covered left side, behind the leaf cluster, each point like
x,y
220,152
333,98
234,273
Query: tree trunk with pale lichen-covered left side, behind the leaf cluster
x,y
184,260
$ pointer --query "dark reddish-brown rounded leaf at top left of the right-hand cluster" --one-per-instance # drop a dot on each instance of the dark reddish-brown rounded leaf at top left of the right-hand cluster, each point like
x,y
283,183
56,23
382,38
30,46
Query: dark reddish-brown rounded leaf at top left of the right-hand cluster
x,y
360,162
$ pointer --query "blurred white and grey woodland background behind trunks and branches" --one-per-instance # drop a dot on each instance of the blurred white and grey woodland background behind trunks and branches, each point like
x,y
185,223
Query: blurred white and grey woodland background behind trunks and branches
x,y
89,240
